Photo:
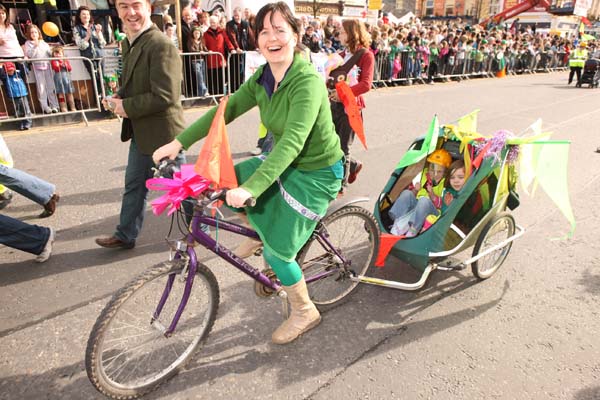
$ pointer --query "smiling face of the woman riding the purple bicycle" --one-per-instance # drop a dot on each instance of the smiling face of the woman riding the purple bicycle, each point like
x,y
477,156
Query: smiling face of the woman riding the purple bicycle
x,y
277,40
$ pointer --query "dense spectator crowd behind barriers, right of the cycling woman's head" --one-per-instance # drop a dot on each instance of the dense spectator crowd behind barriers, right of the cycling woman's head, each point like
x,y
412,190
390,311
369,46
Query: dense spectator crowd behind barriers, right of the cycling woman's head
x,y
423,50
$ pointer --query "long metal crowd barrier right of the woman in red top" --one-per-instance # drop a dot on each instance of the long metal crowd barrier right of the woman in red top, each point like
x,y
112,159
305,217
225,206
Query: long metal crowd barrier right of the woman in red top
x,y
461,65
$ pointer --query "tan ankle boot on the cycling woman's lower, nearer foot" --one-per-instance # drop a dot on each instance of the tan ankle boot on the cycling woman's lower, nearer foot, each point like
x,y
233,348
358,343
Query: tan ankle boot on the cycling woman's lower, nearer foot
x,y
303,317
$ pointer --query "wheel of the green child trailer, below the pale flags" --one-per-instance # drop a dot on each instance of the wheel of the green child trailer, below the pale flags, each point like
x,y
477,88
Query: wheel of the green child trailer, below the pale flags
x,y
487,265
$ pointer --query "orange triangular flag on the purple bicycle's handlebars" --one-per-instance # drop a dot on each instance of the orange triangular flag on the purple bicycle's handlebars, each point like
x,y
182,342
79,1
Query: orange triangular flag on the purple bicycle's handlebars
x,y
214,160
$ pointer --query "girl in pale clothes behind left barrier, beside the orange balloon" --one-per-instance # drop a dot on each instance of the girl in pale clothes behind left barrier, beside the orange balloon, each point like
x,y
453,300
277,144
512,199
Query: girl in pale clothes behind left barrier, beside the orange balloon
x,y
35,47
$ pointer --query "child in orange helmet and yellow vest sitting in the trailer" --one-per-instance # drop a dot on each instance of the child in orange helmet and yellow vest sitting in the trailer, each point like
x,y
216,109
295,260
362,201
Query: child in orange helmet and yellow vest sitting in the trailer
x,y
412,207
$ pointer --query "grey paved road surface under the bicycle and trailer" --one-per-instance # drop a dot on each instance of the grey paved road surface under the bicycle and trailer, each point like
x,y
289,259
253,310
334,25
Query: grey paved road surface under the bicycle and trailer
x,y
530,332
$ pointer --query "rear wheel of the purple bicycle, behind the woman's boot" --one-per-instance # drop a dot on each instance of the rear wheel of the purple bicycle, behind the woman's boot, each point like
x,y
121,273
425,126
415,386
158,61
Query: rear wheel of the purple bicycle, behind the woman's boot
x,y
354,232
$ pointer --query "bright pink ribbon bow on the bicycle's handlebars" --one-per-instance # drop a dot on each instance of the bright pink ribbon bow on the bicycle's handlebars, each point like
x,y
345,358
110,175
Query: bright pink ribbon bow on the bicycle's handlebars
x,y
185,183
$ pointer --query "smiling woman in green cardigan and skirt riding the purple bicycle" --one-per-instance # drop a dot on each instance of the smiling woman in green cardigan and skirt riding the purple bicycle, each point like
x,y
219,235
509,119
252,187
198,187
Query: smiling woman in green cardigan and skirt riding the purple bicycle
x,y
294,183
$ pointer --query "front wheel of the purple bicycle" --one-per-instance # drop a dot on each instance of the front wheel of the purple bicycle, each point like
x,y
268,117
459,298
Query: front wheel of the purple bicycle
x,y
128,353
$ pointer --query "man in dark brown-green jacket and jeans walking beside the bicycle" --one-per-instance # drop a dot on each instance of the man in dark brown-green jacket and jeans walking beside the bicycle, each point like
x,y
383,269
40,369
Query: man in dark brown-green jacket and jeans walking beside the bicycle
x,y
149,102
